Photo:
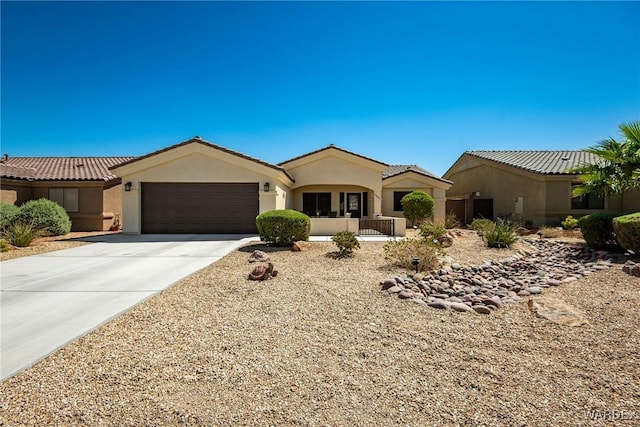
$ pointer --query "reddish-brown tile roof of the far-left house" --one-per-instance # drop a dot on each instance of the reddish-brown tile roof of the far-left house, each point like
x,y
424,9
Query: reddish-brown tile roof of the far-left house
x,y
60,168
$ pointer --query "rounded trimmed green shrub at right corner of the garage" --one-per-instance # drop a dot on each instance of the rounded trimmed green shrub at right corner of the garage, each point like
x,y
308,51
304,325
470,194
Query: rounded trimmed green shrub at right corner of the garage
x,y
283,226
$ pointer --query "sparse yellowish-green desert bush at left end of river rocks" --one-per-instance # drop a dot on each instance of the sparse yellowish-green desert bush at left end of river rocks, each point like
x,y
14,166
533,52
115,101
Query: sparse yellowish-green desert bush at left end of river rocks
x,y
401,253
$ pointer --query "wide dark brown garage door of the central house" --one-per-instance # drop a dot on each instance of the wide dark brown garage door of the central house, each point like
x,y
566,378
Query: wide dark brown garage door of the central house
x,y
199,208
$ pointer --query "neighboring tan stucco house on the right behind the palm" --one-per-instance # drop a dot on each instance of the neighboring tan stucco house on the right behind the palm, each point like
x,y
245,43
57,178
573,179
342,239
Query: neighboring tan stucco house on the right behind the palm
x,y
527,186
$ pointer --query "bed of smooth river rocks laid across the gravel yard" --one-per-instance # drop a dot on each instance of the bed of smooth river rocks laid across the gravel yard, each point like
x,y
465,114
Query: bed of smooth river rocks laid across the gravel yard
x,y
488,286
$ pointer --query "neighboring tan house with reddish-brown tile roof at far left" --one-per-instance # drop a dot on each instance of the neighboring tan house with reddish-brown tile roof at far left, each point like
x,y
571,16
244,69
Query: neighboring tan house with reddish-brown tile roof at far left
x,y
84,186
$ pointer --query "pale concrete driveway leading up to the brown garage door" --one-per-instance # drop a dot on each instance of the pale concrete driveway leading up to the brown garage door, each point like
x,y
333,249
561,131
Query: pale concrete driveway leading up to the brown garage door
x,y
49,300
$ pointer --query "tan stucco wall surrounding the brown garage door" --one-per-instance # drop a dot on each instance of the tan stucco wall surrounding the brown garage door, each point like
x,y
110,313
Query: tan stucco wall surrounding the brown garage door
x,y
197,163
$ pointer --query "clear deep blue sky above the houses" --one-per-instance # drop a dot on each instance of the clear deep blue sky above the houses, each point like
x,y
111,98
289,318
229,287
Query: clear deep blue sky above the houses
x,y
405,83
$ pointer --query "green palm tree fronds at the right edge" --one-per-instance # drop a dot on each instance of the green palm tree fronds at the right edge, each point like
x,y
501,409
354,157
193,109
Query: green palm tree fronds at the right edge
x,y
619,167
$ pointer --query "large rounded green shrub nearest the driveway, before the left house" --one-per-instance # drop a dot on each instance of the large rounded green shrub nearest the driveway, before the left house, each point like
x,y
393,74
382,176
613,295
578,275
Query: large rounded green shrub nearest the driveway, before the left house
x,y
46,216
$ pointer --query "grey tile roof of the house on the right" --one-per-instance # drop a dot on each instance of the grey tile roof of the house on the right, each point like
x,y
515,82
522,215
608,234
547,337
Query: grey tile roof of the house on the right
x,y
542,162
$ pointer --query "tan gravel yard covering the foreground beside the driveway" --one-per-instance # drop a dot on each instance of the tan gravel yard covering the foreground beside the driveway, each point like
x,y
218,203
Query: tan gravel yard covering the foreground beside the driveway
x,y
320,344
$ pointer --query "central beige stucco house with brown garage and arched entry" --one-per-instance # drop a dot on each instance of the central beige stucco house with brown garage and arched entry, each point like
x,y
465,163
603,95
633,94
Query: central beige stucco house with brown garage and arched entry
x,y
199,187
